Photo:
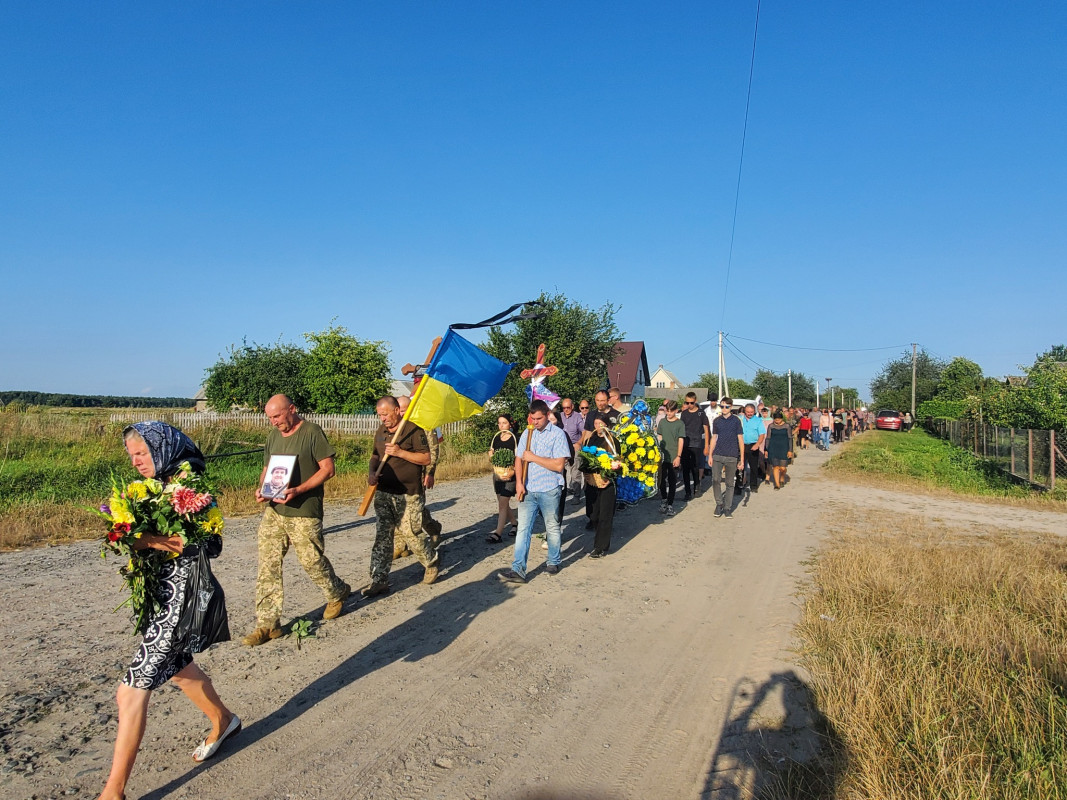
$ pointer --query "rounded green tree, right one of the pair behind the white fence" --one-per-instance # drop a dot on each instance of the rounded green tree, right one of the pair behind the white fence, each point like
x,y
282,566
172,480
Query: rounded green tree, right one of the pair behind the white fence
x,y
343,375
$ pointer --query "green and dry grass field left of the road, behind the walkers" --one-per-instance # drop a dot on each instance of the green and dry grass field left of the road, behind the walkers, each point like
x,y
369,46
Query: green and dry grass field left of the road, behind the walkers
x,y
57,462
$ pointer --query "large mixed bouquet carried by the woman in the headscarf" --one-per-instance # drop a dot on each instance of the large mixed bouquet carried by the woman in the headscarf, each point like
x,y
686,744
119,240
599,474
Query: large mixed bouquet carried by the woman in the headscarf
x,y
186,508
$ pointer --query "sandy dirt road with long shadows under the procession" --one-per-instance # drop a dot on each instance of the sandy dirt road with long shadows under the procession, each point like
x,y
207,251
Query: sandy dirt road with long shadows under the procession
x,y
661,671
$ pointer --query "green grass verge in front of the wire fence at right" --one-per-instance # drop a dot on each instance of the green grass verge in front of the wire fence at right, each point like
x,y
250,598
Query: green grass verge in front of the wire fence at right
x,y
922,461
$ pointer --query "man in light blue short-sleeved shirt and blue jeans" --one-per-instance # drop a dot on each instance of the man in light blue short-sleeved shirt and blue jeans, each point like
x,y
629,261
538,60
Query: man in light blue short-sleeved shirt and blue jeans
x,y
540,458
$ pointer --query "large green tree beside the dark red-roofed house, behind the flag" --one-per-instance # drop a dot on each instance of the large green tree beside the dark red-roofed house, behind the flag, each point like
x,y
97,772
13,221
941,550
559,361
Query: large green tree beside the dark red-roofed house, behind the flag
x,y
579,342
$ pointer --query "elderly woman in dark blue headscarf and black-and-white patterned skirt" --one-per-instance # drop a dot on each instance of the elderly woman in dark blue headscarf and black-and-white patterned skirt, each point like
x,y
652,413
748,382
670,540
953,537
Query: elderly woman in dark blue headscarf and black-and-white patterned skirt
x,y
158,451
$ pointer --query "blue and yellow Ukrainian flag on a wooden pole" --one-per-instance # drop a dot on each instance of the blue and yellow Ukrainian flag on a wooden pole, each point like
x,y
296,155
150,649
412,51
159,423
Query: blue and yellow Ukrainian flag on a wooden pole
x,y
460,380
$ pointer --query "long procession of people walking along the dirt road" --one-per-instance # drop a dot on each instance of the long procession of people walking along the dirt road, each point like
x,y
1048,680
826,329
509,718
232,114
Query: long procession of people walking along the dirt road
x,y
741,447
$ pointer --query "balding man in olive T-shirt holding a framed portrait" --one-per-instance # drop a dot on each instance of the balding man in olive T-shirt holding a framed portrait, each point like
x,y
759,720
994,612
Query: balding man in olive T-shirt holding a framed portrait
x,y
294,518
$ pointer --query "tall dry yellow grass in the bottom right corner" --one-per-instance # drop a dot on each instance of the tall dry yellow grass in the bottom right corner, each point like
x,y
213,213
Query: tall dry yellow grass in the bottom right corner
x,y
939,659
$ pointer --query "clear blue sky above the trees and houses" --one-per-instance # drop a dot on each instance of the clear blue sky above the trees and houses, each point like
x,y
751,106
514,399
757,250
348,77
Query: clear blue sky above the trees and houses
x,y
179,178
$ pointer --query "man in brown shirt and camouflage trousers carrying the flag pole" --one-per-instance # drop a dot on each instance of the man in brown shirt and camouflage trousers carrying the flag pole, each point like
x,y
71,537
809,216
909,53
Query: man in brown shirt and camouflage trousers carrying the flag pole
x,y
399,502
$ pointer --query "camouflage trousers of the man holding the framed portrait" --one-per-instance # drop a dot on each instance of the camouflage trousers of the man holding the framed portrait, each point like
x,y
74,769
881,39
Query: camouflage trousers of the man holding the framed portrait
x,y
277,534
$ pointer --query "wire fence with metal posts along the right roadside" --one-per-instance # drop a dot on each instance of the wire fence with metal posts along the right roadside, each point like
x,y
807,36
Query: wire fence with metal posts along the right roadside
x,y
1033,456
